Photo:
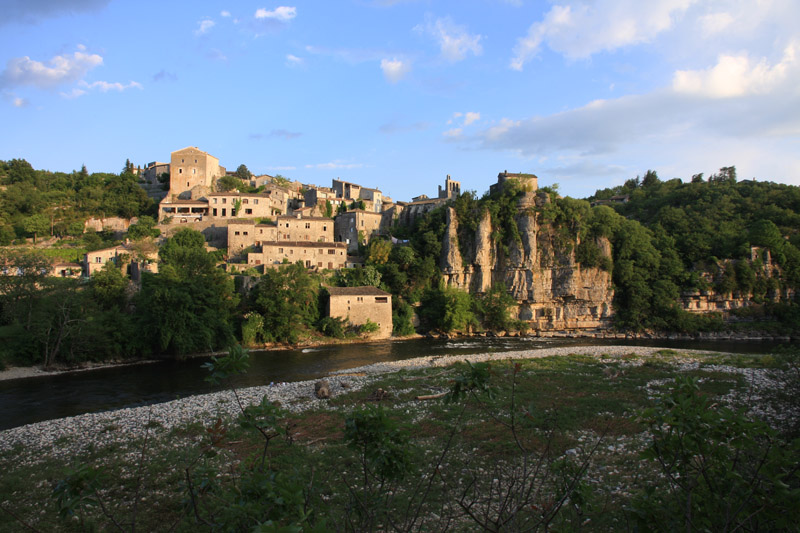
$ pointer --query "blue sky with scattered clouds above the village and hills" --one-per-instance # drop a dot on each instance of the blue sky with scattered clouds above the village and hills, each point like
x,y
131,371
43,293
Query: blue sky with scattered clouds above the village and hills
x,y
397,94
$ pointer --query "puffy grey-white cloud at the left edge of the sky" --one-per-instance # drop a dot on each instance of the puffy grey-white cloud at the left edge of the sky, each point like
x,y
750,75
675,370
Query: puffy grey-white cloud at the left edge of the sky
x,y
57,71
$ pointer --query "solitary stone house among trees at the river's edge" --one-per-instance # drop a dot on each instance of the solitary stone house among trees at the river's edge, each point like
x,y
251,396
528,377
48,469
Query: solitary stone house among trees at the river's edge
x,y
359,304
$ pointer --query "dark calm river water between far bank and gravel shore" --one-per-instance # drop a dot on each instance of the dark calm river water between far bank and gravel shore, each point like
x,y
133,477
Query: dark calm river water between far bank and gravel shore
x,y
24,401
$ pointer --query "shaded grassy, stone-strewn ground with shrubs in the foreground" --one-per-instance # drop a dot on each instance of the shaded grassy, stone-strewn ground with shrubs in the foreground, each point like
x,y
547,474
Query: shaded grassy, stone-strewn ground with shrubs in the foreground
x,y
572,443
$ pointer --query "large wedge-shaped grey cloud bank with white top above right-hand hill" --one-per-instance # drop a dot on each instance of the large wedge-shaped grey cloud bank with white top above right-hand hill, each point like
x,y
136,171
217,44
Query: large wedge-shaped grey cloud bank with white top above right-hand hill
x,y
740,111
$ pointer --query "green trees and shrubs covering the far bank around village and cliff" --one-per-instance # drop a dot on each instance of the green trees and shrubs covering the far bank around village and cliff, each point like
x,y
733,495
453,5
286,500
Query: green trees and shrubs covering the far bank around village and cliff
x,y
670,238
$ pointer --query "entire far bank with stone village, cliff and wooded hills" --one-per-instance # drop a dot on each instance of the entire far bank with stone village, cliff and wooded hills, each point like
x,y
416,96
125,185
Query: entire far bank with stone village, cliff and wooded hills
x,y
177,248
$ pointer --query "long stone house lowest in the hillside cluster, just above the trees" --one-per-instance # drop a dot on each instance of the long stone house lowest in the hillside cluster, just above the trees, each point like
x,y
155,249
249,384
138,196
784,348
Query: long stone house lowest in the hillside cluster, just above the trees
x,y
314,255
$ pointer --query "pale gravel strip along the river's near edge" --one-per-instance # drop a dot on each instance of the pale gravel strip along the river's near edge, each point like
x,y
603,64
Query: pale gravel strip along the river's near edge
x,y
64,438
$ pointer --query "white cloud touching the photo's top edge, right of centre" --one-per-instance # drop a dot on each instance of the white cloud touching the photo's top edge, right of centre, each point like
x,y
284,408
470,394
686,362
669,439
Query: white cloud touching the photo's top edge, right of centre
x,y
579,30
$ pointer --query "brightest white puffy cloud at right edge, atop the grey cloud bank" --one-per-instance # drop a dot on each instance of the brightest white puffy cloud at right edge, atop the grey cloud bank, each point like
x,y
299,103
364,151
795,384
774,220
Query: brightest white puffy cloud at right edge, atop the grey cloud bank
x,y
738,76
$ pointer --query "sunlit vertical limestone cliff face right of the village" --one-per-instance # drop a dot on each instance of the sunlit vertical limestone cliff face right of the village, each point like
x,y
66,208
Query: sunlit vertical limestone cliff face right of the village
x,y
553,293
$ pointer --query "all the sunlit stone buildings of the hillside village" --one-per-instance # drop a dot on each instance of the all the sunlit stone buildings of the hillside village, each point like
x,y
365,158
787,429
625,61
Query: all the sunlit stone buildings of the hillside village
x,y
284,222
